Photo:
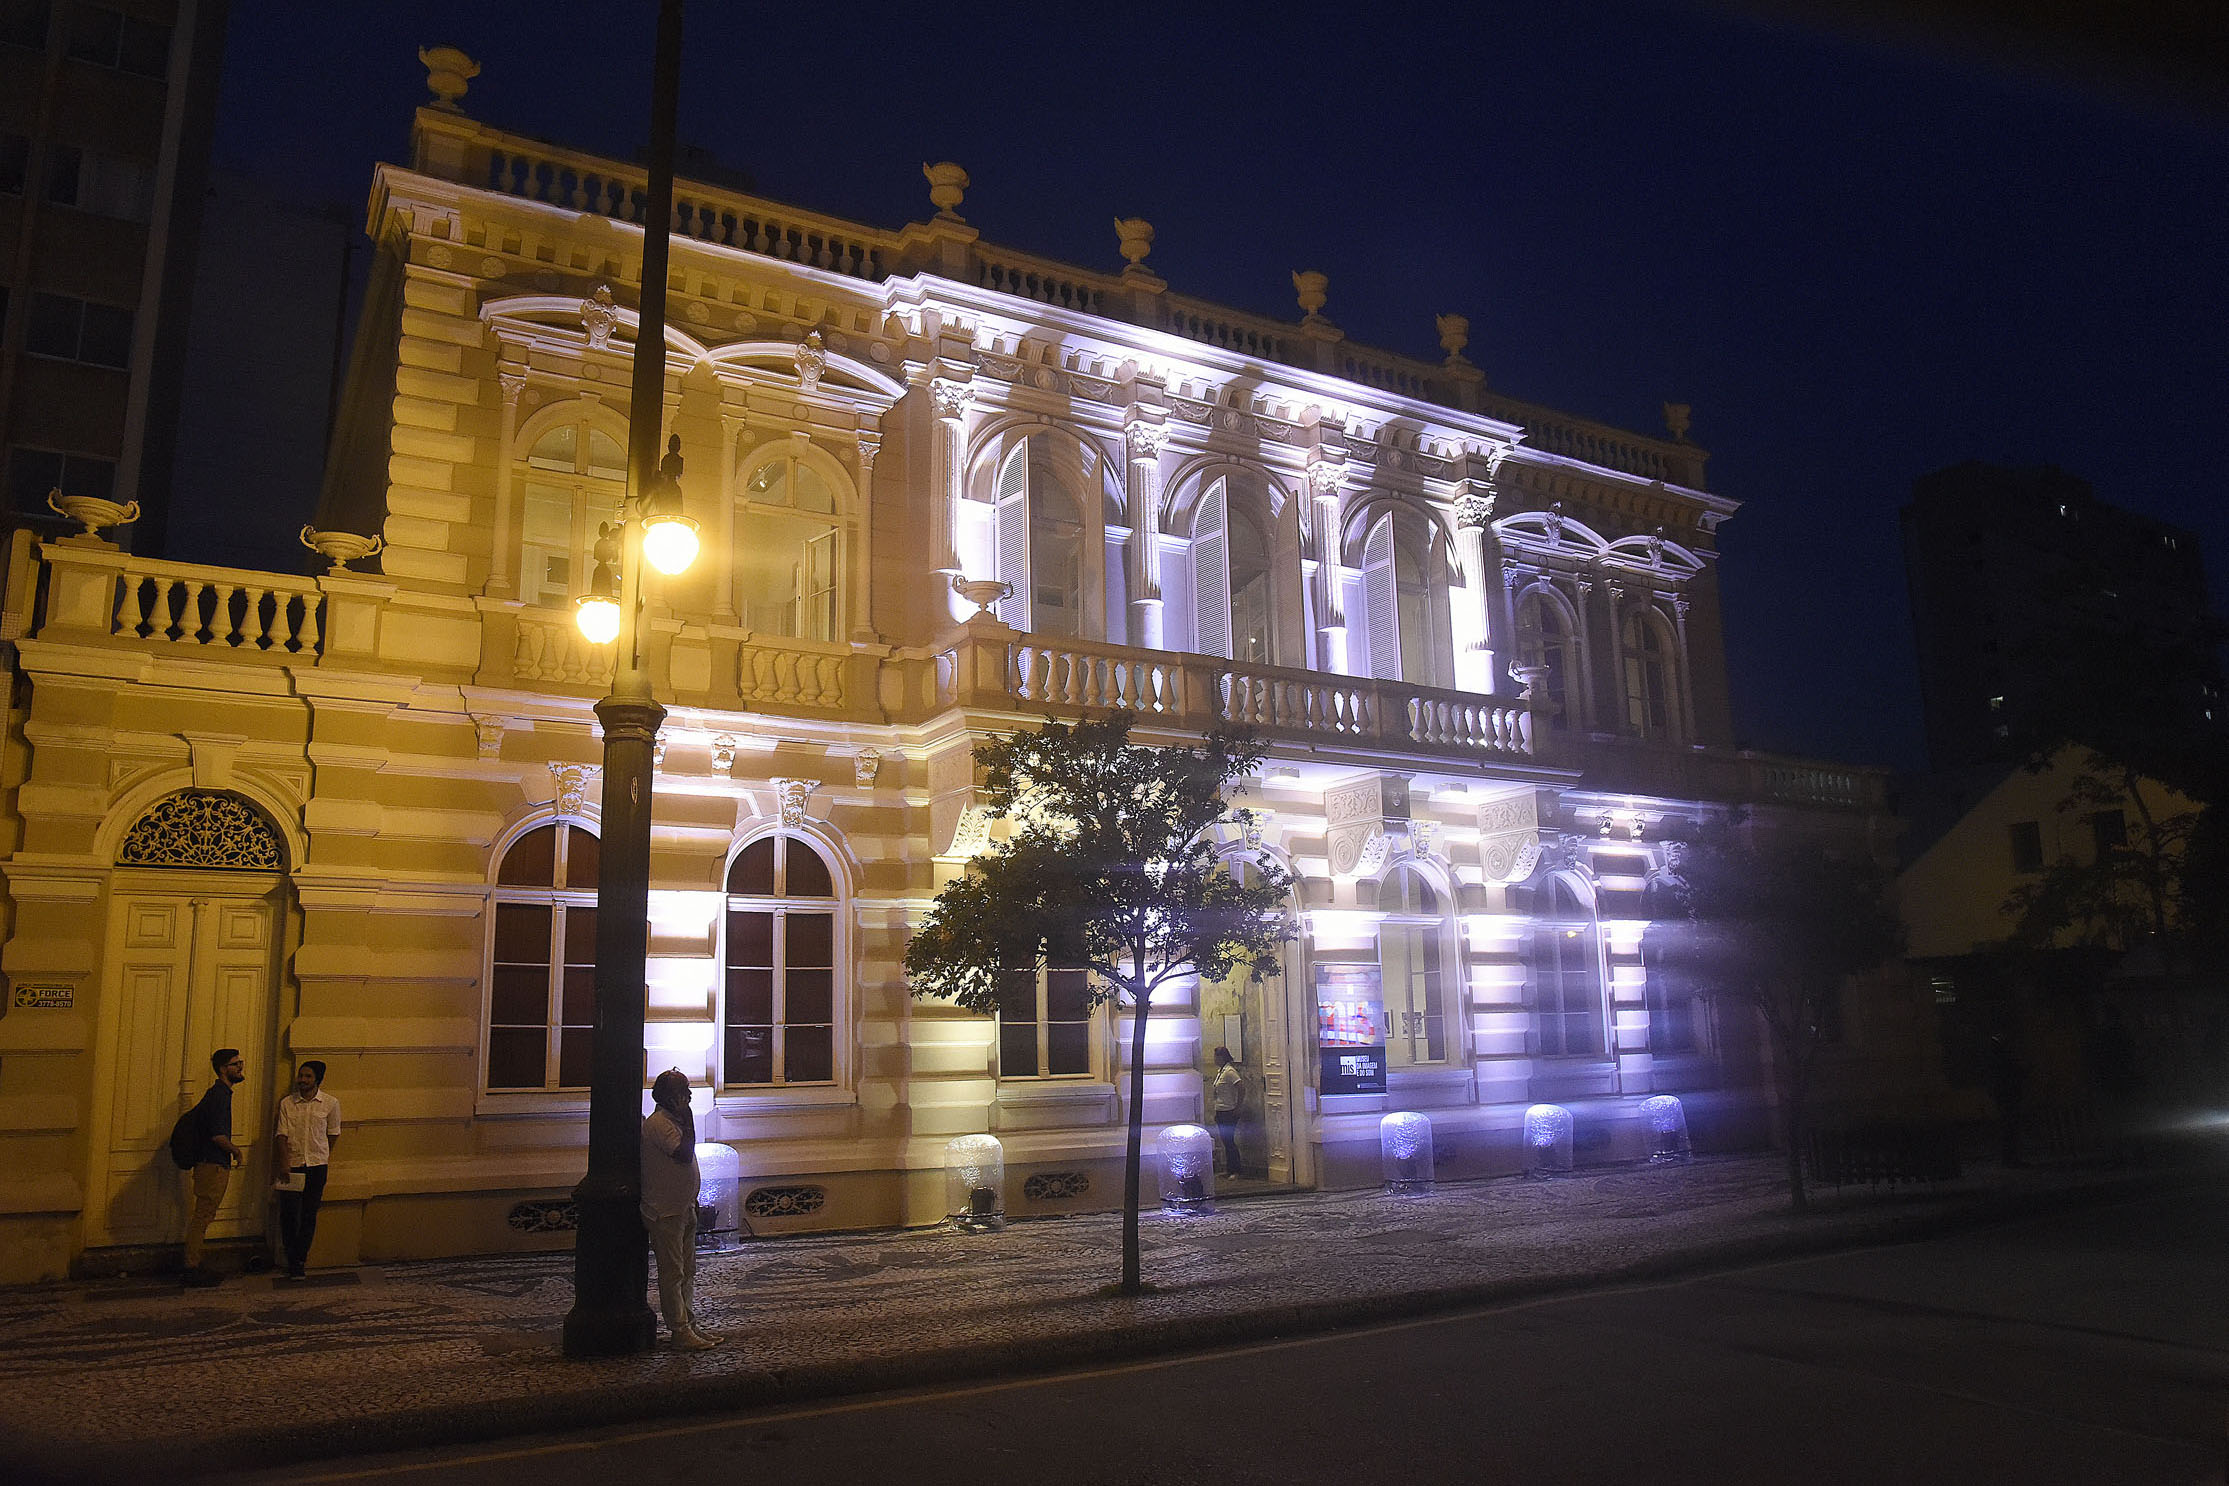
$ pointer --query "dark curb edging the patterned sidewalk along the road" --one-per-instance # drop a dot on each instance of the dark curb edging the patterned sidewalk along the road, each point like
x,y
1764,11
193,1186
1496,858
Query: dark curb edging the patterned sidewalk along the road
x,y
962,1365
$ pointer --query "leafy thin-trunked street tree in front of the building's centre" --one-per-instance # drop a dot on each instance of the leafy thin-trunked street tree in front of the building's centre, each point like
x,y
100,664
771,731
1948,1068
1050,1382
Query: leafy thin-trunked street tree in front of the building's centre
x,y
1109,866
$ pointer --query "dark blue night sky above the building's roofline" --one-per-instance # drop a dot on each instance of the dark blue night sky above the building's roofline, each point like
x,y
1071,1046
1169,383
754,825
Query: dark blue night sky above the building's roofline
x,y
1858,262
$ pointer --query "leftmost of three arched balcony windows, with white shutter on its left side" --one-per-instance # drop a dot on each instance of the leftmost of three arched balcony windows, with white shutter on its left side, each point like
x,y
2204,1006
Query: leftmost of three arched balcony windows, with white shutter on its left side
x,y
1042,538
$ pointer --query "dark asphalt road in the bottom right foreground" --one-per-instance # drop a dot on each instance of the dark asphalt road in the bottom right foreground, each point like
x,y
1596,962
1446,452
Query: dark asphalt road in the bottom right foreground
x,y
2085,1349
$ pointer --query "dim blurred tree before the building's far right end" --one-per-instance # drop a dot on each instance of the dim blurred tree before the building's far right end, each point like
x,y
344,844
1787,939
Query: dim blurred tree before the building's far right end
x,y
1773,930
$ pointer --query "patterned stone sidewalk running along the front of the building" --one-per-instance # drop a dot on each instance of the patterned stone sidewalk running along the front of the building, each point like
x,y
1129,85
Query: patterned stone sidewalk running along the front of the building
x,y
387,1358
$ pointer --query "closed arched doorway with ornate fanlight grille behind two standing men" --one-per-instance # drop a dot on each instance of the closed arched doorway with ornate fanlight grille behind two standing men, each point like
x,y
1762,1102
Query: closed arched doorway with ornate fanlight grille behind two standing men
x,y
191,966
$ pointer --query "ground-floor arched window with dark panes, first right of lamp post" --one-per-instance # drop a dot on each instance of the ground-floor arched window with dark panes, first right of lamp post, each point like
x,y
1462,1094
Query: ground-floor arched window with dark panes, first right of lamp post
x,y
781,966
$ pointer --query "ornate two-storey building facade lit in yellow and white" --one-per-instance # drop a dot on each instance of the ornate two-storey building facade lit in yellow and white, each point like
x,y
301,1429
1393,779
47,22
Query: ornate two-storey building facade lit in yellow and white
x,y
946,489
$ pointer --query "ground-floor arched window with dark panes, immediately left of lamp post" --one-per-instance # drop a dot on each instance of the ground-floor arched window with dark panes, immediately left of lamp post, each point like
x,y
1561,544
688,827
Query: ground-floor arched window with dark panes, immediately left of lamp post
x,y
543,961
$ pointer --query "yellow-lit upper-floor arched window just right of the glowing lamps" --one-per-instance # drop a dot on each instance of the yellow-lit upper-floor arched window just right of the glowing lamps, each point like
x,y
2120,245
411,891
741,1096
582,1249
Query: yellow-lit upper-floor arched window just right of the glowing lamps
x,y
786,551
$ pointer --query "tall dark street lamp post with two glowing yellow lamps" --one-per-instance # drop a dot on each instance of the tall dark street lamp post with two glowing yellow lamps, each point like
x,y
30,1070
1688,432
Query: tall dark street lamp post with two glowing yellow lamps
x,y
612,1269
